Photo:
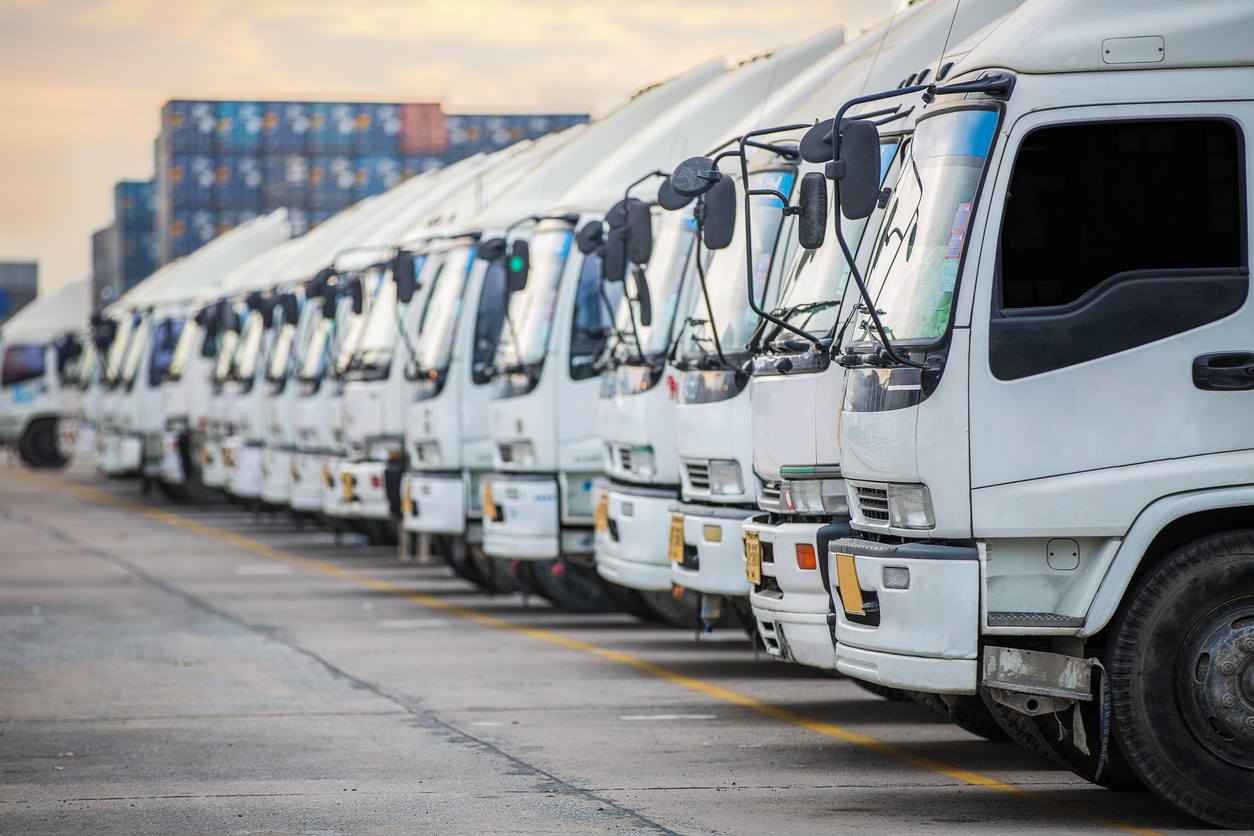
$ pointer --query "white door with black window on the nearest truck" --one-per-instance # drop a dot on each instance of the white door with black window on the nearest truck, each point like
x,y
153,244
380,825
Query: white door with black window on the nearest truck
x,y
1113,335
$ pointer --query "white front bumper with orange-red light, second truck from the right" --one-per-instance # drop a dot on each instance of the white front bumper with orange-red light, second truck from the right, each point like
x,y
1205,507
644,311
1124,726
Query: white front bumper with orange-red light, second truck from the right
x,y
792,603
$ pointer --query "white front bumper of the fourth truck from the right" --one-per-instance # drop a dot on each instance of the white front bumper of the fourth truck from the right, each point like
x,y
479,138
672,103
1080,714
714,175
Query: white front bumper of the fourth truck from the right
x,y
633,535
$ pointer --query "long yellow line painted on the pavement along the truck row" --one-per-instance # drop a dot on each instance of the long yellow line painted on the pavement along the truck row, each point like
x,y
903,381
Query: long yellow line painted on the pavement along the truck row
x,y
692,684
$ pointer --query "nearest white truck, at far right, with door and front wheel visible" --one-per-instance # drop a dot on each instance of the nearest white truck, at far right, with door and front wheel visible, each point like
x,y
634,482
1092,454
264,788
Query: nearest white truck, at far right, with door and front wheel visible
x,y
1044,428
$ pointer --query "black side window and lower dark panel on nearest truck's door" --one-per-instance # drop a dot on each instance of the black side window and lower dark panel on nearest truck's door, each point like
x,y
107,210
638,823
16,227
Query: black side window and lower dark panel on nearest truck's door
x,y
1117,235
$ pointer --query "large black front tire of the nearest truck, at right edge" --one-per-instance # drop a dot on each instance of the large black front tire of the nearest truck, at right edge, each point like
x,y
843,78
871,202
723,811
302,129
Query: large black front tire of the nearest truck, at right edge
x,y
1182,667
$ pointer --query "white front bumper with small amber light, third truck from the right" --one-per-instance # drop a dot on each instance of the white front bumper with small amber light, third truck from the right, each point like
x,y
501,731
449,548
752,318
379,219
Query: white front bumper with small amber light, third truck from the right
x,y
714,550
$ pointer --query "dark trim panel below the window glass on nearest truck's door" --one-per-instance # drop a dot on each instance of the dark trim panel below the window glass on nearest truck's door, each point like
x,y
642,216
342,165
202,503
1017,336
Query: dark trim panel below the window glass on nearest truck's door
x,y
1125,311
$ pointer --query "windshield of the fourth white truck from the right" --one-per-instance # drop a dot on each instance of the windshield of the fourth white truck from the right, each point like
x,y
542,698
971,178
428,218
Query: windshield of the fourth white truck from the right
x,y
668,266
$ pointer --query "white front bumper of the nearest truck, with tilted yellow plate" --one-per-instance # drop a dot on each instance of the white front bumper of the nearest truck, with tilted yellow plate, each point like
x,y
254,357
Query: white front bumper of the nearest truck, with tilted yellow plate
x,y
924,637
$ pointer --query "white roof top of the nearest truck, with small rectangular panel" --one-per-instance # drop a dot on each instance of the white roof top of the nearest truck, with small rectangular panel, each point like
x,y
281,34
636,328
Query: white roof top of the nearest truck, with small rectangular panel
x,y
1094,36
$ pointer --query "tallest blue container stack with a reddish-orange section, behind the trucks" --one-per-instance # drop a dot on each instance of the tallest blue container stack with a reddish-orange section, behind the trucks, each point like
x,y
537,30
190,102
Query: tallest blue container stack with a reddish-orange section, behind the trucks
x,y
221,164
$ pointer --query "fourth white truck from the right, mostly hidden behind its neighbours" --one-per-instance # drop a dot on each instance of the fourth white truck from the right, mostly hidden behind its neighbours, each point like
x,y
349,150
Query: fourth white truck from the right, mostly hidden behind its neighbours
x,y
636,410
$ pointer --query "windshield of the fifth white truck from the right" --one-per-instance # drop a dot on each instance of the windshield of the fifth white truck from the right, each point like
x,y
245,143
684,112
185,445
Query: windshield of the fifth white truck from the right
x,y
525,335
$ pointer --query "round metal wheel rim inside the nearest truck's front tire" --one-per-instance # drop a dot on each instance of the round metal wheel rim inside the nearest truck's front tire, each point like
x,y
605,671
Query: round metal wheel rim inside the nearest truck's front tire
x,y
1216,682
